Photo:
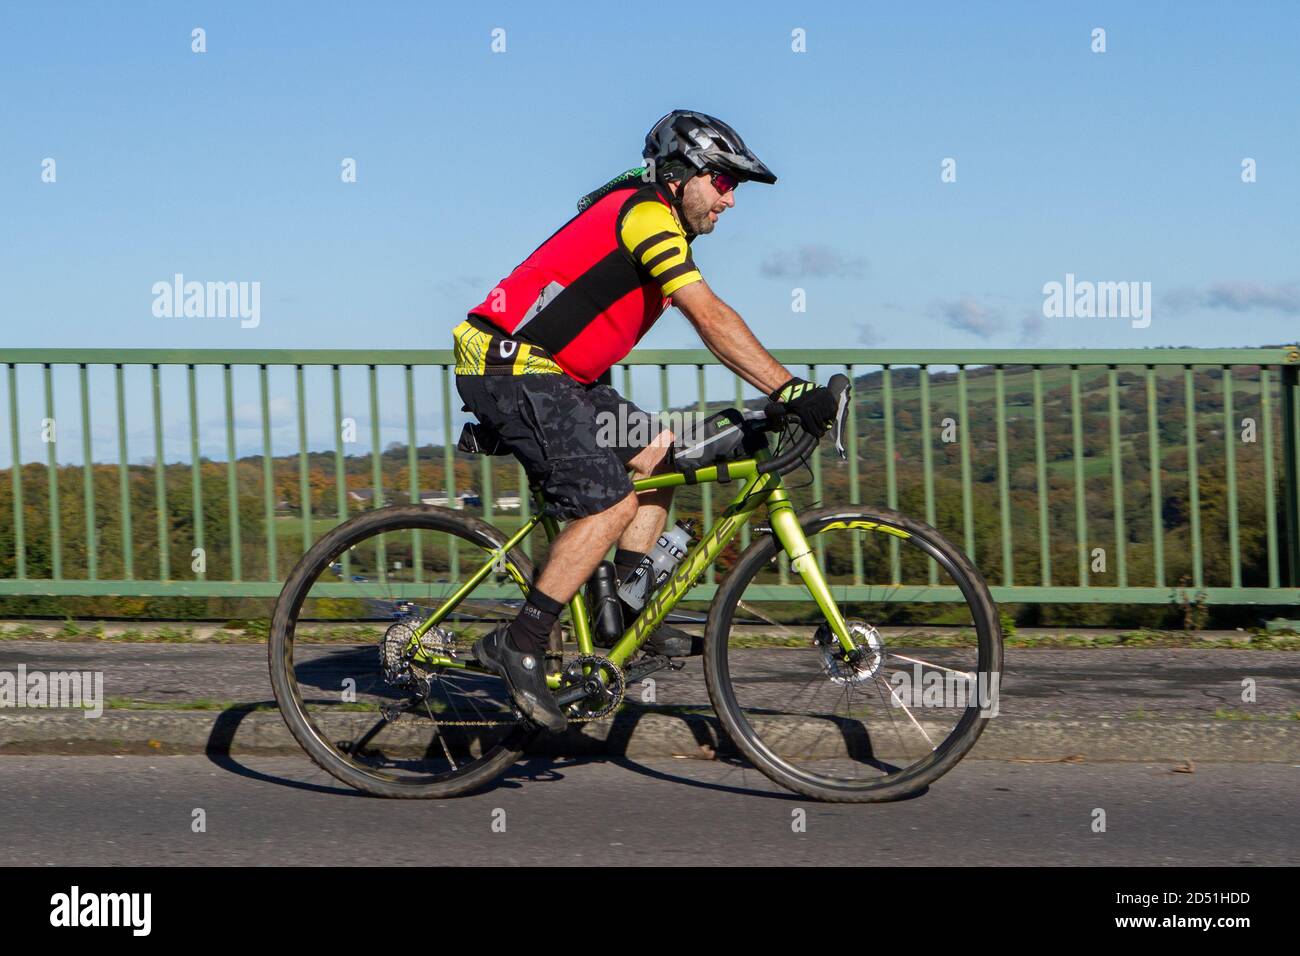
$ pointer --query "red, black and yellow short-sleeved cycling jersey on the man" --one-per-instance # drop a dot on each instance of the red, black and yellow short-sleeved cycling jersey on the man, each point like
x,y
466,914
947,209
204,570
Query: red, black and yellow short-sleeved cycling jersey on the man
x,y
588,295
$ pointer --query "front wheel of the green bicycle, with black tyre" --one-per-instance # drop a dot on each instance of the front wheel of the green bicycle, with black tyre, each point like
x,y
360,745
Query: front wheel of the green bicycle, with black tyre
x,y
883,724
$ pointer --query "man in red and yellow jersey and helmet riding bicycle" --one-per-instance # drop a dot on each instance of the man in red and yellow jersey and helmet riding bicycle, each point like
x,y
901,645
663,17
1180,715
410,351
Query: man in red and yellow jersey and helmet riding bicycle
x,y
530,358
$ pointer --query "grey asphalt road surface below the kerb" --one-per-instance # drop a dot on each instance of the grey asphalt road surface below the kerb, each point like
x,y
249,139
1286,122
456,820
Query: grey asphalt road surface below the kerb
x,y
133,811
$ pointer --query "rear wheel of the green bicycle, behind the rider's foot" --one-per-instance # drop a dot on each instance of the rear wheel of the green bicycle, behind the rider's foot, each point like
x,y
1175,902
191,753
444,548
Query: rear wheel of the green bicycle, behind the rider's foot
x,y
340,664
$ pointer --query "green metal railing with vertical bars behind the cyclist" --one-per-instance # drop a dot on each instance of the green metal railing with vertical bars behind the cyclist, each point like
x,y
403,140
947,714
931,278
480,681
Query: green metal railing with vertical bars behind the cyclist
x,y
920,404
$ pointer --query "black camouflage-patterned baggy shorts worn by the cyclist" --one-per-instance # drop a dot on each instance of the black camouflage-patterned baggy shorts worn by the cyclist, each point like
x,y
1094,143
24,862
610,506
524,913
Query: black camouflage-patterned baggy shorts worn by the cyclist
x,y
574,440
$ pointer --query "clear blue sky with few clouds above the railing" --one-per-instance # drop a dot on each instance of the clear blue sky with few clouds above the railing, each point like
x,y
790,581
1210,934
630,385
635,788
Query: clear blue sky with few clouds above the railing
x,y
226,166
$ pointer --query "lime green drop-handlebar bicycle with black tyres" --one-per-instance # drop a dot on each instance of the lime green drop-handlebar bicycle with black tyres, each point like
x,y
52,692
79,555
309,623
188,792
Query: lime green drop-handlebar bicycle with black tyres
x,y
866,685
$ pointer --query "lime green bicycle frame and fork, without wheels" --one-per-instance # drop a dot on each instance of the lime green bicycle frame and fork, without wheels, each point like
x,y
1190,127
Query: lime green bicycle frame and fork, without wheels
x,y
756,490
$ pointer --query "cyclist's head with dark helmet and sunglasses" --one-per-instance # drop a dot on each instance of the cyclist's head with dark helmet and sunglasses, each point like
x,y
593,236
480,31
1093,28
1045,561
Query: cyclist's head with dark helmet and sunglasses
x,y
703,161
